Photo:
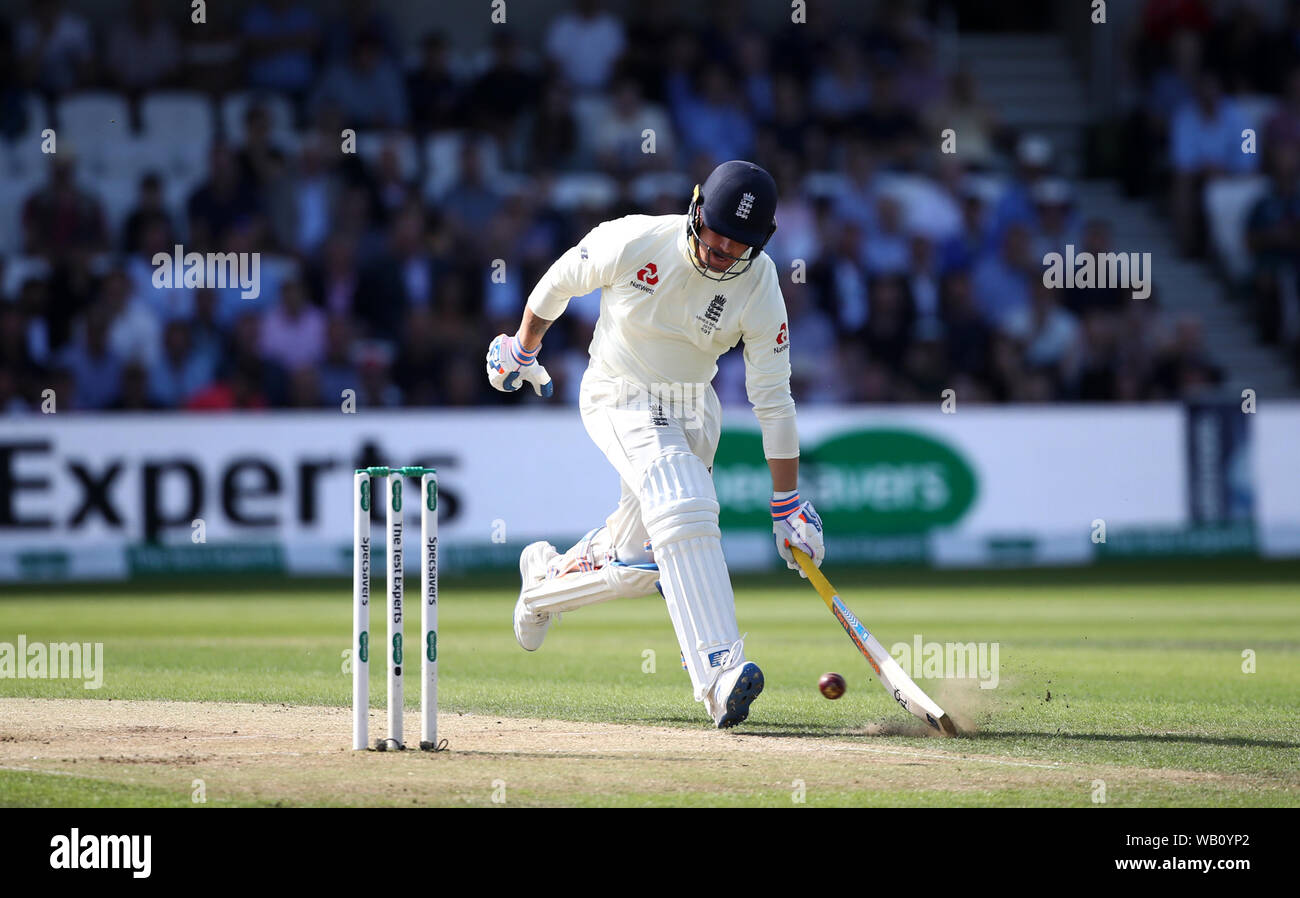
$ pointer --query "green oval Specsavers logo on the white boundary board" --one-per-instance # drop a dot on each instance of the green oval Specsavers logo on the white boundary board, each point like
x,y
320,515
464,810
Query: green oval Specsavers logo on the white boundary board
x,y
869,483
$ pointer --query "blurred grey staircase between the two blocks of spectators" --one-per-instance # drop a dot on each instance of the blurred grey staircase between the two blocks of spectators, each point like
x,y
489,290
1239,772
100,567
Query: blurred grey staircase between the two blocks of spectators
x,y
1033,84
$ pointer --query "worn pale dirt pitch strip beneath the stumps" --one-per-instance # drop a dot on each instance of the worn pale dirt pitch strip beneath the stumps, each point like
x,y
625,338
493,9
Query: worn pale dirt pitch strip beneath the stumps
x,y
298,756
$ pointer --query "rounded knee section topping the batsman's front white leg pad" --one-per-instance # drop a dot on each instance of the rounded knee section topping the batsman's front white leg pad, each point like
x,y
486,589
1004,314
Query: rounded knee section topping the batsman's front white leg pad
x,y
678,500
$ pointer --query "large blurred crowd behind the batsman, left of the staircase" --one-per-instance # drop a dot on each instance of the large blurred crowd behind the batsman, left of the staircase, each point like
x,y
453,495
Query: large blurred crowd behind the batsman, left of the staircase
x,y
389,270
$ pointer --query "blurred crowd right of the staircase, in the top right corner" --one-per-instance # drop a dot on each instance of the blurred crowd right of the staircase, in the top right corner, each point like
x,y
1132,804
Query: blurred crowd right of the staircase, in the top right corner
x,y
1206,75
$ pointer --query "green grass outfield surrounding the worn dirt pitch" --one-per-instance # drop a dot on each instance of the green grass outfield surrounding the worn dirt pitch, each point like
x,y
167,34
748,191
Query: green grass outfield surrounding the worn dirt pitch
x,y
1143,663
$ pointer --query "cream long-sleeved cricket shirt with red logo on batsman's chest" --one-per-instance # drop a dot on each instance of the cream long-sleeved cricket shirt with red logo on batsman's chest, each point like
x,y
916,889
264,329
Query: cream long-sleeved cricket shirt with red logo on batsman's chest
x,y
662,322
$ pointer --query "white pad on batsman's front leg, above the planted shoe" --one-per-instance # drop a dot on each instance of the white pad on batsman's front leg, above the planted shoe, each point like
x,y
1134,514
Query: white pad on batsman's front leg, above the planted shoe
x,y
681,511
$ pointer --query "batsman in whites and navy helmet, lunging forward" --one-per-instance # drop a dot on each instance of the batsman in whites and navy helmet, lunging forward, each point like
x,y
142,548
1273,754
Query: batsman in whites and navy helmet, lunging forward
x,y
677,293
